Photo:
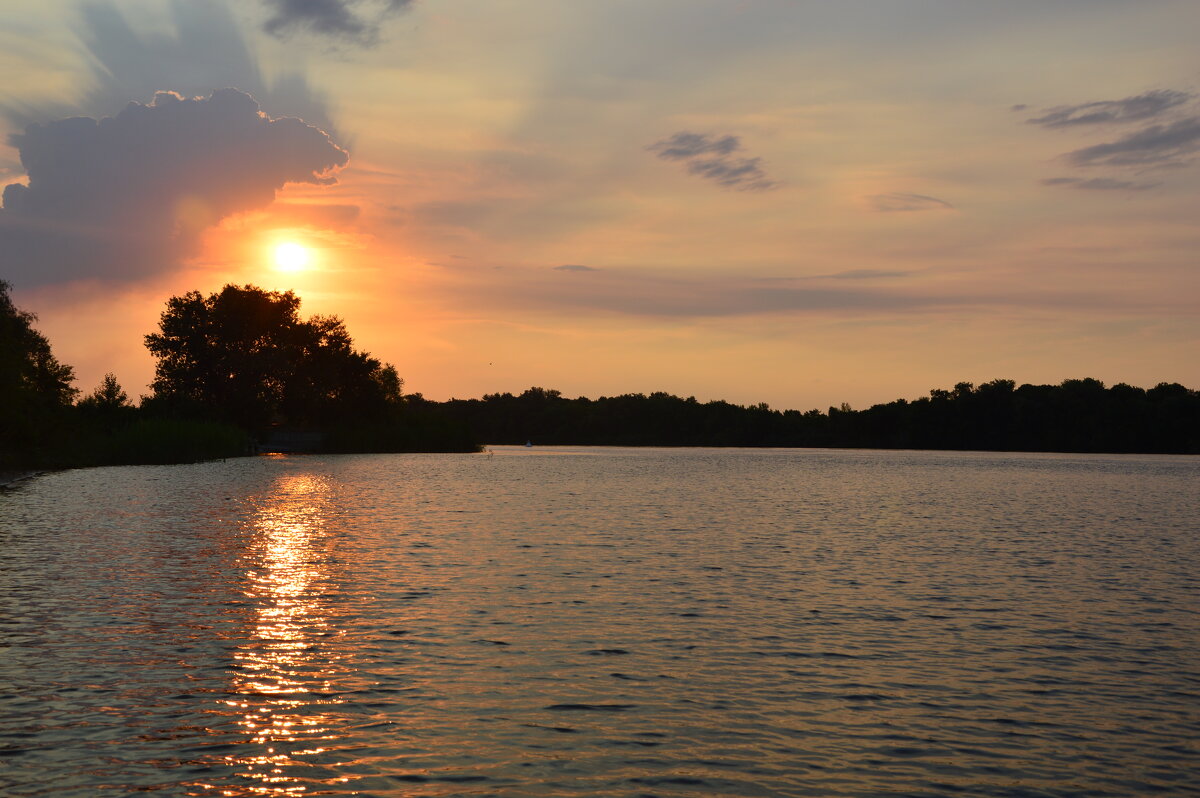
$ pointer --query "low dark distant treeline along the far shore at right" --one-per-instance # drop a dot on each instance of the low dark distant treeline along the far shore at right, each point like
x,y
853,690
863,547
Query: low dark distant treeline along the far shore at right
x,y
1078,416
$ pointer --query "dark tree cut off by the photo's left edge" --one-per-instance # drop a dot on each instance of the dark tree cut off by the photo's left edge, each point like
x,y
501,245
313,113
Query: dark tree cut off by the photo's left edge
x,y
35,388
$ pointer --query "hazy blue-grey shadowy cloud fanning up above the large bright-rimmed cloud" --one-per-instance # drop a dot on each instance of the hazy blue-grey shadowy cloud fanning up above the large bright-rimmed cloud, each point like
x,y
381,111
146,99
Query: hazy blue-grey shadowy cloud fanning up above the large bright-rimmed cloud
x,y
199,51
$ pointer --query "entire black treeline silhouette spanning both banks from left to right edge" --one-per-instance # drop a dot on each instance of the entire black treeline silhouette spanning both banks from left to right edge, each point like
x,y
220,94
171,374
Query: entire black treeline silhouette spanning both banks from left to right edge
x,y
238,367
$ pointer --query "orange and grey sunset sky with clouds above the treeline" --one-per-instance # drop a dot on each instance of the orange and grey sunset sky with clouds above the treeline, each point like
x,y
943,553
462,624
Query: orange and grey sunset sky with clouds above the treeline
x,y
794,202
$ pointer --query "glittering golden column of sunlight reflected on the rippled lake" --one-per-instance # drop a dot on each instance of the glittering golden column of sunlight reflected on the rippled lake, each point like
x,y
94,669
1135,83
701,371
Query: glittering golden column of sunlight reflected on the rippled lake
x,y
286,679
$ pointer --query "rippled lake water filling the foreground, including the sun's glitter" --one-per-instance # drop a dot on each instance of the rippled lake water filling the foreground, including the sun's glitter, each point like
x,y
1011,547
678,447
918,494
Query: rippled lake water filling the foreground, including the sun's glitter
x,y
591,622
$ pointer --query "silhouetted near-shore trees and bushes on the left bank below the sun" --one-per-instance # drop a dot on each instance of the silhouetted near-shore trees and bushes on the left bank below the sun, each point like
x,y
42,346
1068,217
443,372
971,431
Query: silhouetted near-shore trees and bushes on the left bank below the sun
x,y
232,370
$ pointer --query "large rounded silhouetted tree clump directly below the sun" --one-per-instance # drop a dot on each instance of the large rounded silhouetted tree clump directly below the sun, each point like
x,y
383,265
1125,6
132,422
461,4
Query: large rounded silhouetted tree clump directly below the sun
x,y
244,356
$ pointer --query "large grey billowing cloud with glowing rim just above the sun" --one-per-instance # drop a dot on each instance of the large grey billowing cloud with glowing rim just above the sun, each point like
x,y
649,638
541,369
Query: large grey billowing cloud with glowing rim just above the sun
x,y
127,197
